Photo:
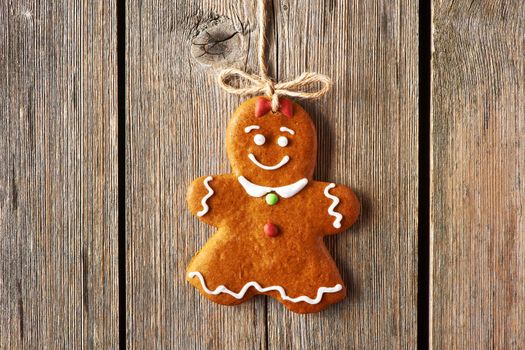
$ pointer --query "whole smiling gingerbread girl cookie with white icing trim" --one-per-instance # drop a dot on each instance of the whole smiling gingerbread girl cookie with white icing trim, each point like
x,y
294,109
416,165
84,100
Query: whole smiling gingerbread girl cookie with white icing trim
x,y
271,216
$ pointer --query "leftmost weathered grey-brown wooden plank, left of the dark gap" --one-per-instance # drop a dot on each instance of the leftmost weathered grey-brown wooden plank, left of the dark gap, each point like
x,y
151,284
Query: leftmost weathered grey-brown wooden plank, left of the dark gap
x,y
58,175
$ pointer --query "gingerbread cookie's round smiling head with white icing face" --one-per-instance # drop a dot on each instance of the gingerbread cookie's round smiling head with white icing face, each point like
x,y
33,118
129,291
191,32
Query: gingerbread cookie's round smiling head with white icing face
x,y
271,148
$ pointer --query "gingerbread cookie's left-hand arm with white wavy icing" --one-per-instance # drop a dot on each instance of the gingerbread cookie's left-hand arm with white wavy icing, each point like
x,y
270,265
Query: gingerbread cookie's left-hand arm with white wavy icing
x,y
203,195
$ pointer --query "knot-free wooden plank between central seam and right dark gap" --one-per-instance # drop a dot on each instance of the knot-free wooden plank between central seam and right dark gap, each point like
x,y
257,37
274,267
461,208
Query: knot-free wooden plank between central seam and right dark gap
x,y
368,133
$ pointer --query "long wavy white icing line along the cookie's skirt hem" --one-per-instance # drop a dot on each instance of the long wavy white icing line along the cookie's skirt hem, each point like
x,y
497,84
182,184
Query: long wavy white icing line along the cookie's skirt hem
x,y
222,289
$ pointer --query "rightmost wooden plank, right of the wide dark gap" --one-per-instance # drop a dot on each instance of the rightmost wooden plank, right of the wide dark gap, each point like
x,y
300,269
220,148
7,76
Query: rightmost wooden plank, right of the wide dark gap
x,y
478,167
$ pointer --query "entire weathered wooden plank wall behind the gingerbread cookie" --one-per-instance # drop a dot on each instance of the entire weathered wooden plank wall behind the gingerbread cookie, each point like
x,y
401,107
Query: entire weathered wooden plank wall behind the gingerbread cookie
x,y
94,242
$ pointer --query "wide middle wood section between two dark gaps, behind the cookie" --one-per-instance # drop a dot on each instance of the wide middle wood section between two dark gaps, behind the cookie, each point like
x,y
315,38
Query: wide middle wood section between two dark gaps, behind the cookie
x,y
175,125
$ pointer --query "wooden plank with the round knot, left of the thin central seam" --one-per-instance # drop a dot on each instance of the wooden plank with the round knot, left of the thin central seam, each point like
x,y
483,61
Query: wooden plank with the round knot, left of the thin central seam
x,y
176,123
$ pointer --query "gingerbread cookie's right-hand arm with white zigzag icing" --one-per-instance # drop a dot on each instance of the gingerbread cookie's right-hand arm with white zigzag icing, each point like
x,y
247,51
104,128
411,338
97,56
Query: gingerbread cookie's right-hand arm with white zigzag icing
x,y
340,207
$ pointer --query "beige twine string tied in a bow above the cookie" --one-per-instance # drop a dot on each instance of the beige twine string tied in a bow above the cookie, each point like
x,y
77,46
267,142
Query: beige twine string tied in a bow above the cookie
x,y
263,84
